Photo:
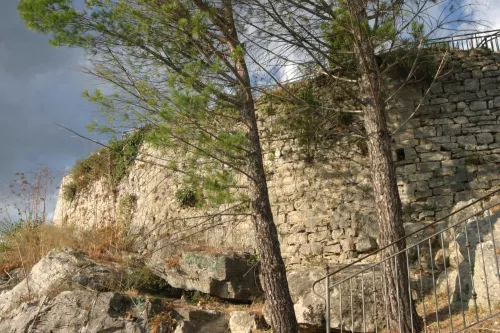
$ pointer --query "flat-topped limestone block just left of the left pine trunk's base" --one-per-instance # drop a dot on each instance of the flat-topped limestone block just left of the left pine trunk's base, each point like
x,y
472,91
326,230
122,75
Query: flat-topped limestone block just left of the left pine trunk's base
x,y
228,275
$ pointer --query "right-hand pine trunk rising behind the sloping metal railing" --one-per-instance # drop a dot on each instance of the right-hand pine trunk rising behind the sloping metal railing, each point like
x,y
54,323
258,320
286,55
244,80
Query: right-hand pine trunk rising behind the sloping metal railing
x,y
402,314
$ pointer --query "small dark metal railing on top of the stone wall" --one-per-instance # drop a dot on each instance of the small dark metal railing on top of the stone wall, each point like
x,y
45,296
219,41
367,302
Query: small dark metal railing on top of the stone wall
x,y
483,39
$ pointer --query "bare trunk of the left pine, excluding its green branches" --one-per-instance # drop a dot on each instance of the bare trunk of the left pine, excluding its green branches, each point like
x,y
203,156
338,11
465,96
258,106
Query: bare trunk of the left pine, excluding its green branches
x,y
273,271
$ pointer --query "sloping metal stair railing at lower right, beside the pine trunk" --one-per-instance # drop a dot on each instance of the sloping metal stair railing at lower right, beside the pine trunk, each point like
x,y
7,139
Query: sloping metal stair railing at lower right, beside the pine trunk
x,y
454,276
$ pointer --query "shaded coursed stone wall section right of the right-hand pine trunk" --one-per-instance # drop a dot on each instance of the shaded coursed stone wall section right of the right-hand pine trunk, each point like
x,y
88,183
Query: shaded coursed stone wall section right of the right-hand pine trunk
x,y
450,150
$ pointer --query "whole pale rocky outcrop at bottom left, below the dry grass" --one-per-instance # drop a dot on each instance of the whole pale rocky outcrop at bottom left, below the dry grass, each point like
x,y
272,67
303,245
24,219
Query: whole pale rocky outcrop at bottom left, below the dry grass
x,y
66,292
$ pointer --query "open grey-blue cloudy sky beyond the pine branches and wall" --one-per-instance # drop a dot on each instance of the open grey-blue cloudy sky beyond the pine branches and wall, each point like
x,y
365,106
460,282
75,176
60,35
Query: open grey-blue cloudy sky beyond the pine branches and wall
x,y
41,86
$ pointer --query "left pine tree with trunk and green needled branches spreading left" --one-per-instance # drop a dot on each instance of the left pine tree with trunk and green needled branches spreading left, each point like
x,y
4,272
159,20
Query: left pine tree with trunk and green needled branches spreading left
x,y
181,66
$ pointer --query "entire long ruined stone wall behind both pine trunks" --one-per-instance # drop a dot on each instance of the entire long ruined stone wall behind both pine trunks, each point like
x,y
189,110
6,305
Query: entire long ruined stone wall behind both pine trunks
x,y
447,153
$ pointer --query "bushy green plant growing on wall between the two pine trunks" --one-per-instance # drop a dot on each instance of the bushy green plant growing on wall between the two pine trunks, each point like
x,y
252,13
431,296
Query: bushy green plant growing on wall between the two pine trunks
x,y
318,118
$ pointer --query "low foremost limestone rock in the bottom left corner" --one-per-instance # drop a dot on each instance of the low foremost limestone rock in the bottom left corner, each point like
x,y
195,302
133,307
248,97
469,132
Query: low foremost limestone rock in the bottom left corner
x,y
78,311
